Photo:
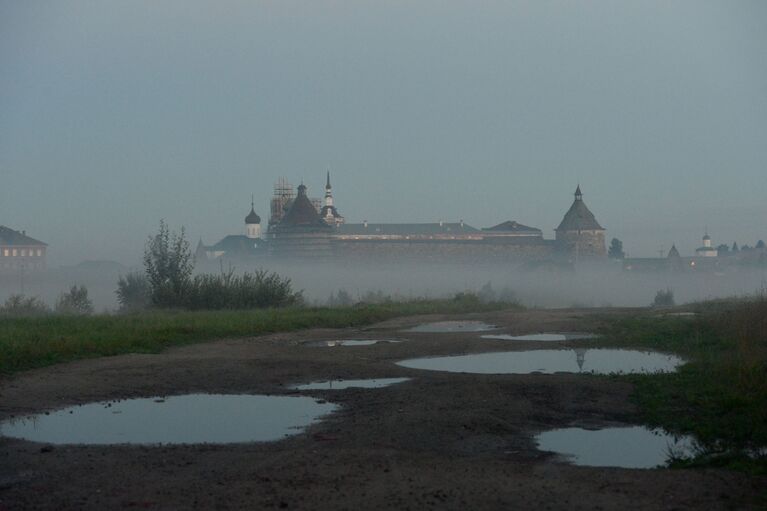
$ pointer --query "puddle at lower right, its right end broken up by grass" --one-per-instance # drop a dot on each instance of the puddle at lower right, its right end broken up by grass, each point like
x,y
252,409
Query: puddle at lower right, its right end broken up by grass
x,y
627,447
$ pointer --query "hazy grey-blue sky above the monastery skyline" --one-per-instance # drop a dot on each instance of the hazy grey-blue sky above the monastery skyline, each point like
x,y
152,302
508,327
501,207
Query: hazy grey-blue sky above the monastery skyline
x,y
116,114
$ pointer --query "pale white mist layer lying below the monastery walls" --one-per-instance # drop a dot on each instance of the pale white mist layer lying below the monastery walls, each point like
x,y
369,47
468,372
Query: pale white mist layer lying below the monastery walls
x,y
605,285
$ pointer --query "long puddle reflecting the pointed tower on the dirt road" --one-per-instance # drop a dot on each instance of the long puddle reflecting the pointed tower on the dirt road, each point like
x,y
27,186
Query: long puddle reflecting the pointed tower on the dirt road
x,y
599,361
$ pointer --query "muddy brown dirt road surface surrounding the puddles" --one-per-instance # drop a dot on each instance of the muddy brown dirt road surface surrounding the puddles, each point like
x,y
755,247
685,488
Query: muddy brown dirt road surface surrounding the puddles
x,y
439,440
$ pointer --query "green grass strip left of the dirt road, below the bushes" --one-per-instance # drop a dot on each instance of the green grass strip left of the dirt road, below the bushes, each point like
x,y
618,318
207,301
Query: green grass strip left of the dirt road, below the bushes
x,y
31,342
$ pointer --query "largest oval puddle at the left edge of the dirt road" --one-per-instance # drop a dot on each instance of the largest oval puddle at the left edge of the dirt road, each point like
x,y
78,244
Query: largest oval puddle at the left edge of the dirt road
x,y
188,419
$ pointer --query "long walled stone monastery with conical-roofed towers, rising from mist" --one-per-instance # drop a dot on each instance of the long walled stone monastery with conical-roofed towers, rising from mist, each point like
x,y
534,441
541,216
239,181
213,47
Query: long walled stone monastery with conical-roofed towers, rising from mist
x,y
304,228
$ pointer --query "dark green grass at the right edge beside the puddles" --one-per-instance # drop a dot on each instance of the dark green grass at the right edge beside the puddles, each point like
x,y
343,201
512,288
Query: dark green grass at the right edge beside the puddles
x,y
720,395
